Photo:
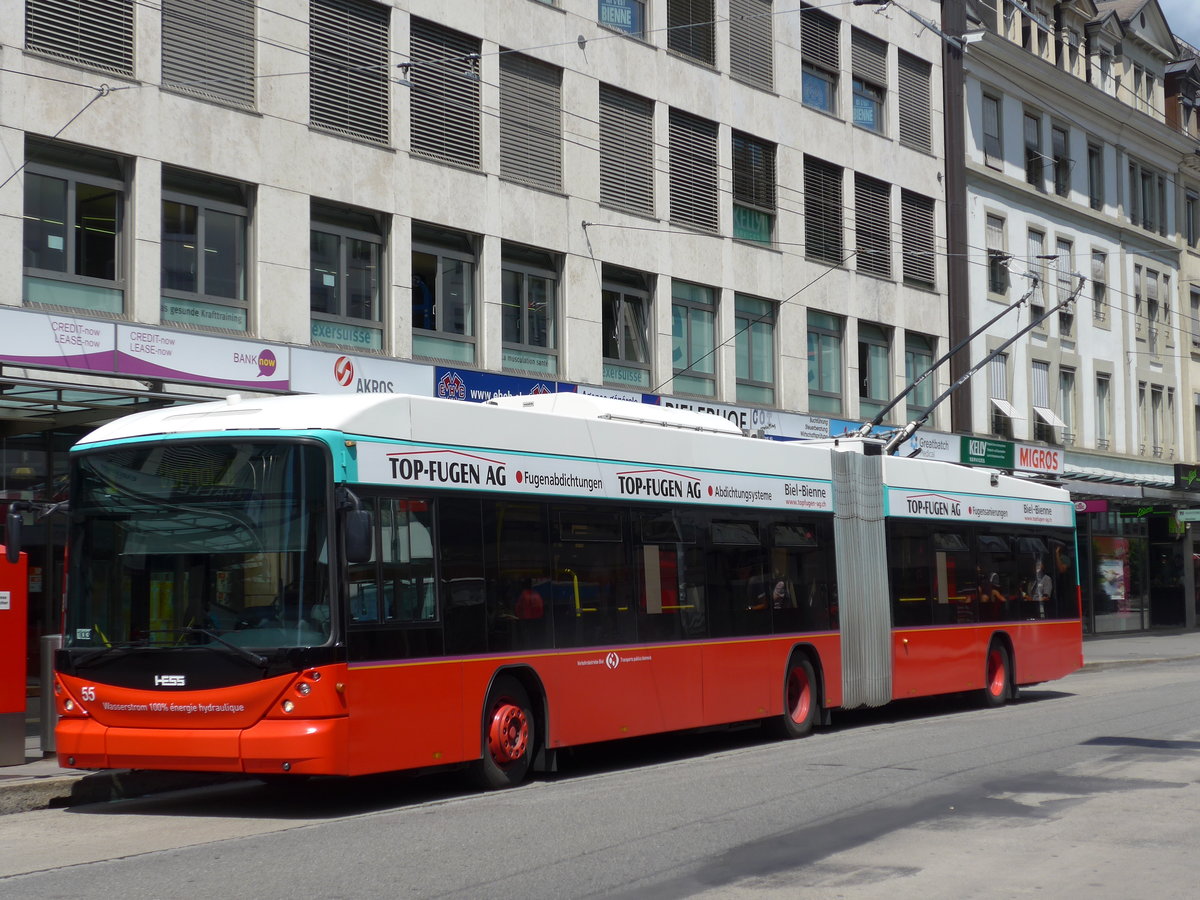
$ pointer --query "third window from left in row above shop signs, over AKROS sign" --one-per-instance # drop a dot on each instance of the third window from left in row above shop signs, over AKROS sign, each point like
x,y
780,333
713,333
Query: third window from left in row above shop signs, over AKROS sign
x,y
346,266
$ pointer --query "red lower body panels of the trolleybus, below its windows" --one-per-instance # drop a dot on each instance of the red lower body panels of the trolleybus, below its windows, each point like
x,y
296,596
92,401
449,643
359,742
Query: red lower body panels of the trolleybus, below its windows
x,y
413,715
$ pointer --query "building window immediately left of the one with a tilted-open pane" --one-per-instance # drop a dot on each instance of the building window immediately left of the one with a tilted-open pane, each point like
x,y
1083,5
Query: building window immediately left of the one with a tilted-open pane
x,y
529,310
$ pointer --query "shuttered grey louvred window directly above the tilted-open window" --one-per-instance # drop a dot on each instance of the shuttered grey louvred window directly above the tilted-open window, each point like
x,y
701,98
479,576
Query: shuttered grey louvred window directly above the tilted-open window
x,y
627,151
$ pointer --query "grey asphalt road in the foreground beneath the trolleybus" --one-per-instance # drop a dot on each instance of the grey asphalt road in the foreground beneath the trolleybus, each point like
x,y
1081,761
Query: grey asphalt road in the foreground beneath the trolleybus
x,y
1088,787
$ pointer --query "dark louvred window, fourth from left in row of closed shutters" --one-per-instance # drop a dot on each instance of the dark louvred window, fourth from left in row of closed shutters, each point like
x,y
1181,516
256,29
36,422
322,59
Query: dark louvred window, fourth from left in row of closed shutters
x,y
445,101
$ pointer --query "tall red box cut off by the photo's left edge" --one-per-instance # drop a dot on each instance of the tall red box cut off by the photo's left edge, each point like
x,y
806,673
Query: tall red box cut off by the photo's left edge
x,y
14,627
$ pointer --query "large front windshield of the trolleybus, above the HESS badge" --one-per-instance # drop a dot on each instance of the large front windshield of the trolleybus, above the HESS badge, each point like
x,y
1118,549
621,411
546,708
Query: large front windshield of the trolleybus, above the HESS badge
x,y
179,544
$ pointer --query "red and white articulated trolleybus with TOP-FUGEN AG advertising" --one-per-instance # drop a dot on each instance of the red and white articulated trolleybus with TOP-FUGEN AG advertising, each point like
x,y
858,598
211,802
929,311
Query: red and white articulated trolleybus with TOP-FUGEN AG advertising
x,y
332,585
